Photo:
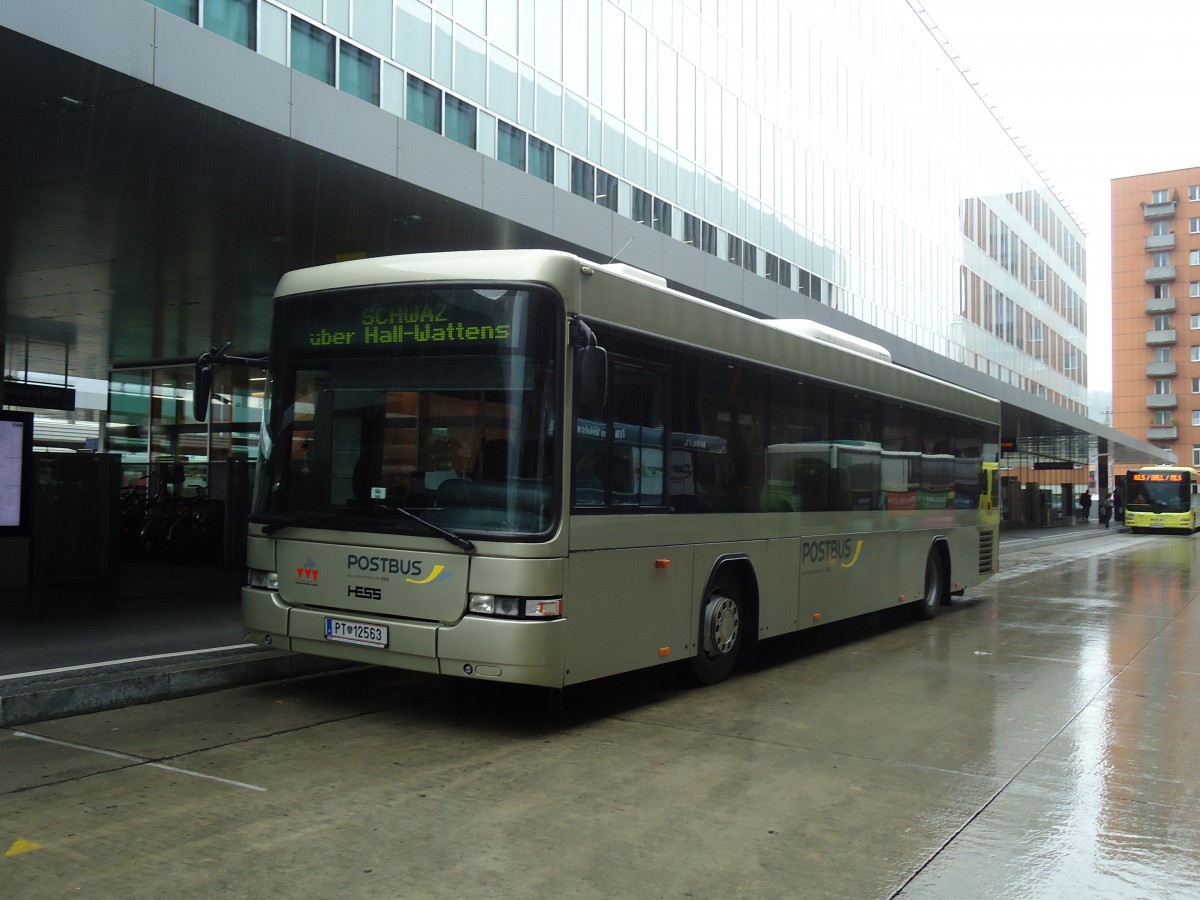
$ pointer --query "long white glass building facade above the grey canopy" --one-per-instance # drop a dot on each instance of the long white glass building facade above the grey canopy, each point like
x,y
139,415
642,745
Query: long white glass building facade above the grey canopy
x,y
835,148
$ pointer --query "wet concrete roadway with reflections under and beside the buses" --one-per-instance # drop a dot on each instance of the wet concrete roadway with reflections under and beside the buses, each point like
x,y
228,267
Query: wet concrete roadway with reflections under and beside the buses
x,y
1037,740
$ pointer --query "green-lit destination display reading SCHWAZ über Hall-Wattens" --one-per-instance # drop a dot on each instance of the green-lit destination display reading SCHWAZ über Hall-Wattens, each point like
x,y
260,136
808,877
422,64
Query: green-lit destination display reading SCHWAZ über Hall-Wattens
x,y
404,320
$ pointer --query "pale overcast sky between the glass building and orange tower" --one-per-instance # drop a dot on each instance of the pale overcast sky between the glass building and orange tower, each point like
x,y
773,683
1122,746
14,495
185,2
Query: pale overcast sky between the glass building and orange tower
x,y
1095,91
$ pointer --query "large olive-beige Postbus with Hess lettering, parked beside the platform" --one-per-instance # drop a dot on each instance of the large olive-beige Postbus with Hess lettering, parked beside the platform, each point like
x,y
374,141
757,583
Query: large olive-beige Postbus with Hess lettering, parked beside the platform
x,y
521,466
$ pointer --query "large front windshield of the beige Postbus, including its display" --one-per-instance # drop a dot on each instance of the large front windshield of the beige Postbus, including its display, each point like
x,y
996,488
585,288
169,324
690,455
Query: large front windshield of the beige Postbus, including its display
x,y
413,410
